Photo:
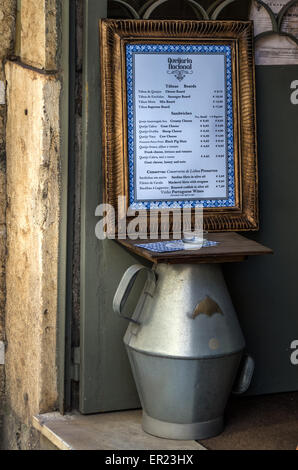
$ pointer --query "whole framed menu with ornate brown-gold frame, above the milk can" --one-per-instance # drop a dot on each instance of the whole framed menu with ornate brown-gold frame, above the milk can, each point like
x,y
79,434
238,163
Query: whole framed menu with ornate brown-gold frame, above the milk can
x,y
179,132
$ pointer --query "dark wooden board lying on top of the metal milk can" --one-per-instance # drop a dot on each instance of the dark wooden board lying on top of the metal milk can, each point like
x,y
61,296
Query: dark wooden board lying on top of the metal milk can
x,y
232,247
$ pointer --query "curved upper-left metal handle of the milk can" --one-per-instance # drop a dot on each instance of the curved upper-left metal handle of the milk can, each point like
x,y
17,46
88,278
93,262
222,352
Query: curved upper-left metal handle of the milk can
x,y
126,284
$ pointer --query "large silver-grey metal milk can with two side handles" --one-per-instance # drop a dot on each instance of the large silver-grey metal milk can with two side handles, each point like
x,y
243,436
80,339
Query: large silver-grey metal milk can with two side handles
x,y
185,345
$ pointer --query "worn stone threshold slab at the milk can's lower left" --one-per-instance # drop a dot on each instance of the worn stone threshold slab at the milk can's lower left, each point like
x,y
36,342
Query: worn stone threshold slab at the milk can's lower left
x,y
104,431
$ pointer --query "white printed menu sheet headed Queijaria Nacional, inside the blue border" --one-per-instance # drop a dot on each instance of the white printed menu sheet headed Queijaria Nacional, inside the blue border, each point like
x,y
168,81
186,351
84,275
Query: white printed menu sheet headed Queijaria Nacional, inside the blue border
x,y
180,120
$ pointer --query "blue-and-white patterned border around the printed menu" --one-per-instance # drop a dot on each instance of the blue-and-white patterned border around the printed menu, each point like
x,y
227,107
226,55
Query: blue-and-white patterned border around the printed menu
x,y
131,49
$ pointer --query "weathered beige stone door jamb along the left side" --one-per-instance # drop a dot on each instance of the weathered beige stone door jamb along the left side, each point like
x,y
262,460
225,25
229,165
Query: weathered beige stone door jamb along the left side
x,y
32,219
